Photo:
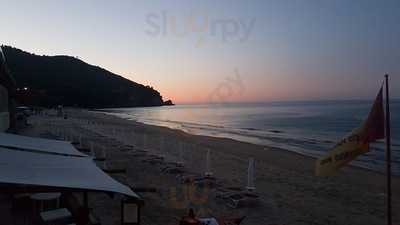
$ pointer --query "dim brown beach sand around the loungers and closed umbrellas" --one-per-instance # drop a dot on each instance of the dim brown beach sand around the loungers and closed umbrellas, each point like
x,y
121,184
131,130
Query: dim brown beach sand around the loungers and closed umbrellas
x,y
285,181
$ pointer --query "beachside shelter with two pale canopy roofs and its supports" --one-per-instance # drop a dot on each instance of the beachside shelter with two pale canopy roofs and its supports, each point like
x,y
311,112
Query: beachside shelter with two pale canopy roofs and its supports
x,y
43,169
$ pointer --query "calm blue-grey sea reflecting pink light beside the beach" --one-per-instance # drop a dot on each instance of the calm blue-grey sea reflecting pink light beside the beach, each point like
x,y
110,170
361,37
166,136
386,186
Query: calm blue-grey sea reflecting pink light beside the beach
x,y
309,128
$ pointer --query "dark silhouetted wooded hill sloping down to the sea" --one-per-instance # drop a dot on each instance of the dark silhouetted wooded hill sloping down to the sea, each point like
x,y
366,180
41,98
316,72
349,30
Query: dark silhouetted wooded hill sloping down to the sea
x,y
68,81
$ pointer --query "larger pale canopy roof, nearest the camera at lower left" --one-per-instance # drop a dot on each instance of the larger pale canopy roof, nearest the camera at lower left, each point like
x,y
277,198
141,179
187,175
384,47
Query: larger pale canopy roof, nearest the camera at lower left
x,y
32,168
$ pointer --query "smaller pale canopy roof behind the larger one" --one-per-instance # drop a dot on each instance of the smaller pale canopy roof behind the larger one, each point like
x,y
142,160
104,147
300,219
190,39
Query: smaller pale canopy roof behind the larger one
x,y
38,144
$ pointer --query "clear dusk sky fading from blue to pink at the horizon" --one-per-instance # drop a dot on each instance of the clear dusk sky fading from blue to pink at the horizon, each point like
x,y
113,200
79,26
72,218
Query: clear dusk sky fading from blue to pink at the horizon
x,y
203,51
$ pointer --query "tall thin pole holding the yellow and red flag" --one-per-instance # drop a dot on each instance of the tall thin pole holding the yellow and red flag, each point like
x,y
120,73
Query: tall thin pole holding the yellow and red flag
x,y
388,156
